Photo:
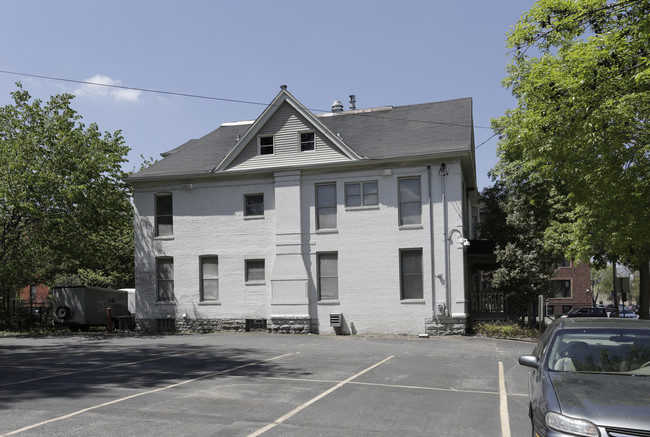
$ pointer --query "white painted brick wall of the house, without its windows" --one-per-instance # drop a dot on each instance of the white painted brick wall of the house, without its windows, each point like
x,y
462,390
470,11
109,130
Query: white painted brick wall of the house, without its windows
x,y
209,221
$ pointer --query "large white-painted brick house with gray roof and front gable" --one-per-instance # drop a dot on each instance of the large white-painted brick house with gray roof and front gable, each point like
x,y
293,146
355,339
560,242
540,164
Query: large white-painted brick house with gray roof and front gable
x,y
296,218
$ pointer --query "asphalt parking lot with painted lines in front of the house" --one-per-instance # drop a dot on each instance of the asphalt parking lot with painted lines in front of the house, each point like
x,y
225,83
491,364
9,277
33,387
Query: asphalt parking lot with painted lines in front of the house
x,y
261,384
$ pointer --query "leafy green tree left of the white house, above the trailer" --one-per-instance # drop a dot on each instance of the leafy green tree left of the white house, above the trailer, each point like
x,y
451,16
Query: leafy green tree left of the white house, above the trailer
x,y
64,208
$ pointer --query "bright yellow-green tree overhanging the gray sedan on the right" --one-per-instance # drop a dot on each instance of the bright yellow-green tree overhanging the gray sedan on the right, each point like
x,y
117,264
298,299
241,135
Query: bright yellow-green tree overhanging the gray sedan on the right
x,y
581,75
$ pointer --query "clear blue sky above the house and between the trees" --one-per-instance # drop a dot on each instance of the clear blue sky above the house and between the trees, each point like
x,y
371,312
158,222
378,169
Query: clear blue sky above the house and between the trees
x,y
384,52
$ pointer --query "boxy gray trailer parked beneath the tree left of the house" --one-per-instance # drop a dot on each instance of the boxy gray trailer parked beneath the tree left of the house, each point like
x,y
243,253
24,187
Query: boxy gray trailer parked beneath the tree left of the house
x,y
80,307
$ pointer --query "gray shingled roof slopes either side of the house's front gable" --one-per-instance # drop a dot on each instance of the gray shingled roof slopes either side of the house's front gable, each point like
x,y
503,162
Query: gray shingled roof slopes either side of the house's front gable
x,y
383,133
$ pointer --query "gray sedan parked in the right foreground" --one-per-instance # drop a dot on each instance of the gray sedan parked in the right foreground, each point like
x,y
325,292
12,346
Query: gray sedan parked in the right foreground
x,y
591,377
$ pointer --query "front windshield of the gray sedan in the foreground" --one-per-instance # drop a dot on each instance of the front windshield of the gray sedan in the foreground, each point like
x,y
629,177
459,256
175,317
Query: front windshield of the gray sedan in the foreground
x,y
622,351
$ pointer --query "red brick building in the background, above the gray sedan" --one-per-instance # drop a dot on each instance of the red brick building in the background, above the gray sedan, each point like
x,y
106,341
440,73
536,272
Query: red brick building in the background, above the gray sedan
x,y
571,288
